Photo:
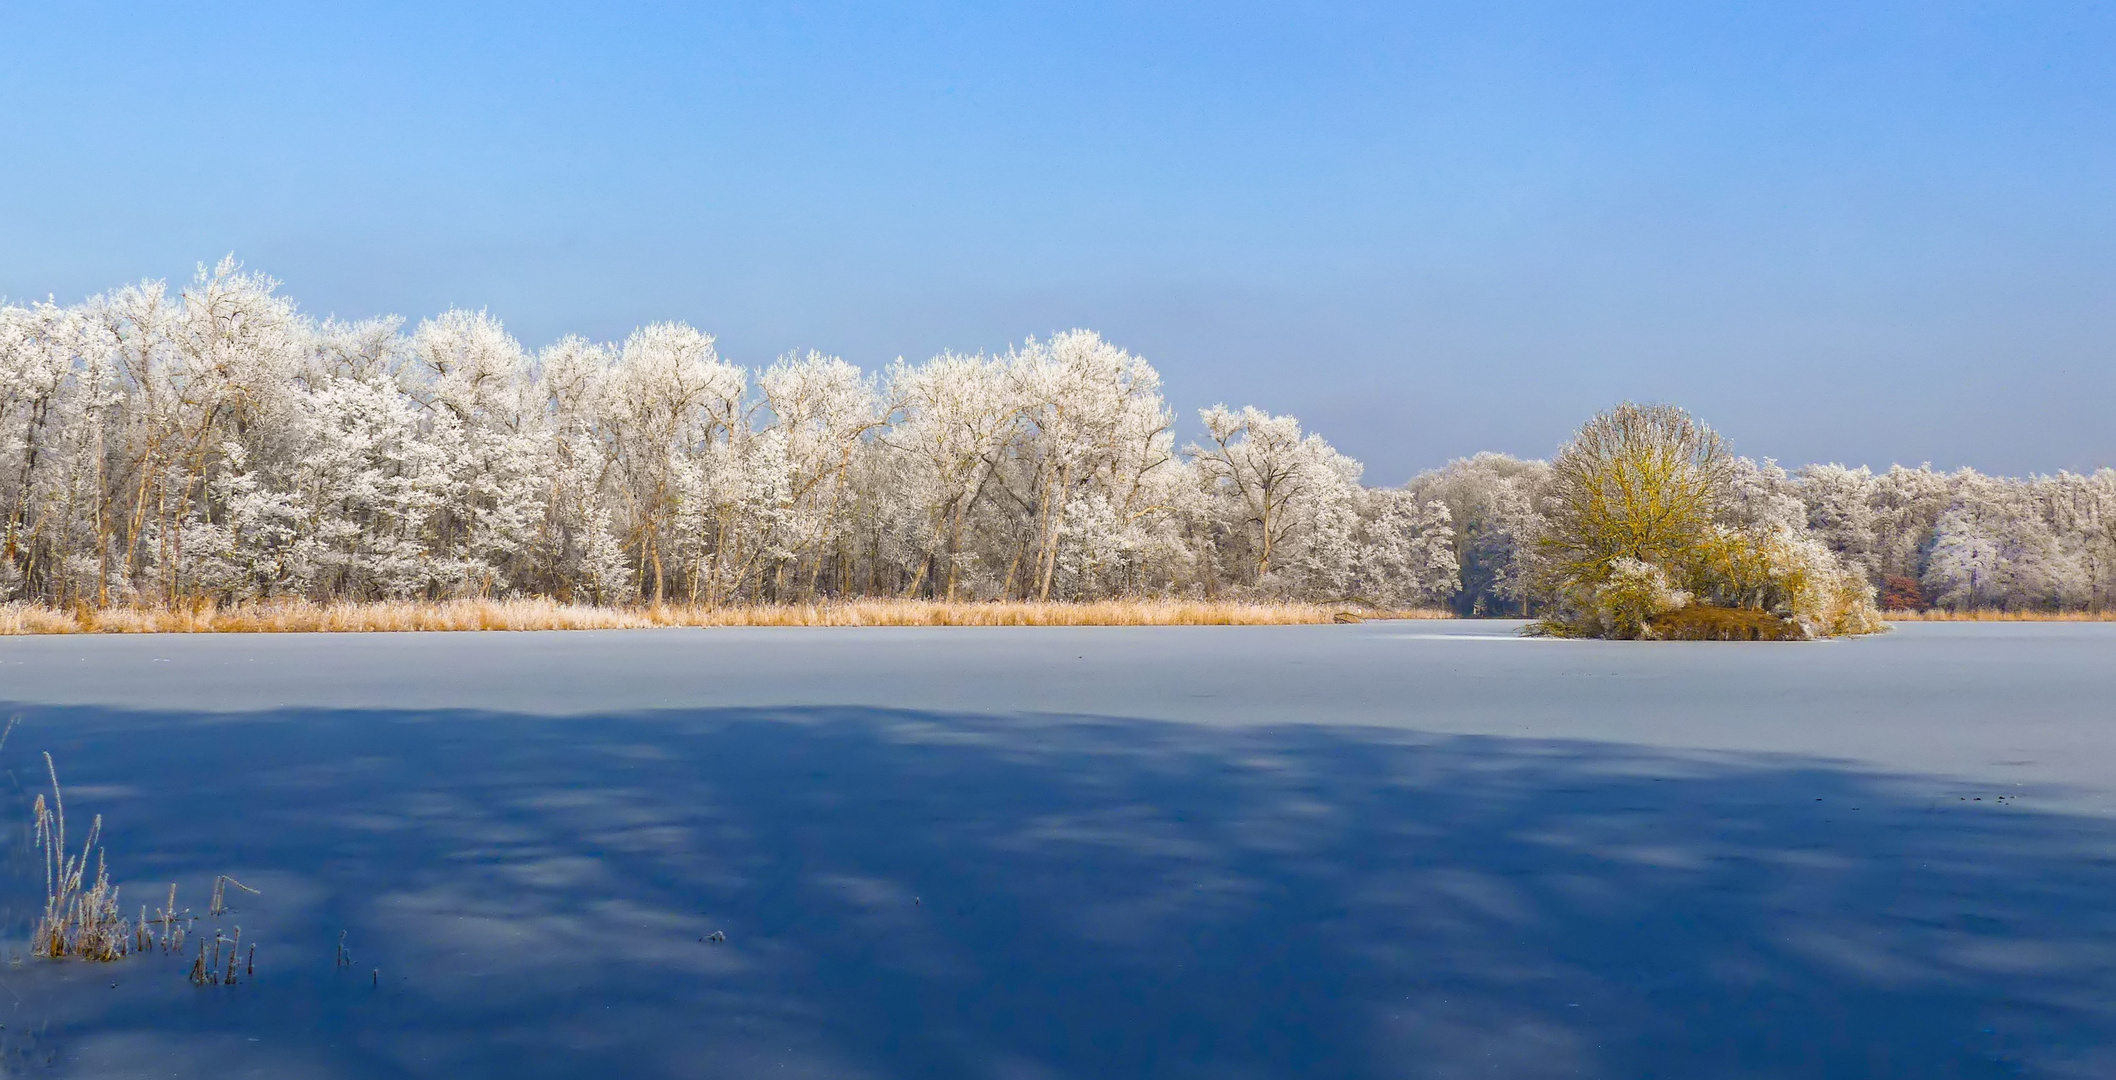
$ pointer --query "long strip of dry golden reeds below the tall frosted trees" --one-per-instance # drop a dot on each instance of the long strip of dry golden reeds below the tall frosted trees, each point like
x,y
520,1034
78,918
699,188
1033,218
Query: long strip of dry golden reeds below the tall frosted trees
x,y
534,615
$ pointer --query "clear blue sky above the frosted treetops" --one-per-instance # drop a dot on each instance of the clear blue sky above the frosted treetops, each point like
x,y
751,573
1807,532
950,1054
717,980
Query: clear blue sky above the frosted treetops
x,y
1838,232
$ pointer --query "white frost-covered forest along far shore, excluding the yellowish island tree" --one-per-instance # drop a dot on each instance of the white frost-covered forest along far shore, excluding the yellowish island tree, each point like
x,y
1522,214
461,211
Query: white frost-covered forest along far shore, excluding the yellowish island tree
x,y
215,444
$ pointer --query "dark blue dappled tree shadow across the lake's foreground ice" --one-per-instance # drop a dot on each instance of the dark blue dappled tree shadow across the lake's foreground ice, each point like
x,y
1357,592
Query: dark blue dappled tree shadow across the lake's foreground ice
x,y
966,897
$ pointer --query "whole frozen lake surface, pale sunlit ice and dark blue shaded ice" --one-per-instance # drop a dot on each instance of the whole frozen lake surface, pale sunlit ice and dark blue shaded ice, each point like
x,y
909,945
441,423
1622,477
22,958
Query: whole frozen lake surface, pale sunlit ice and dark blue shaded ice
x,y
1218,852
